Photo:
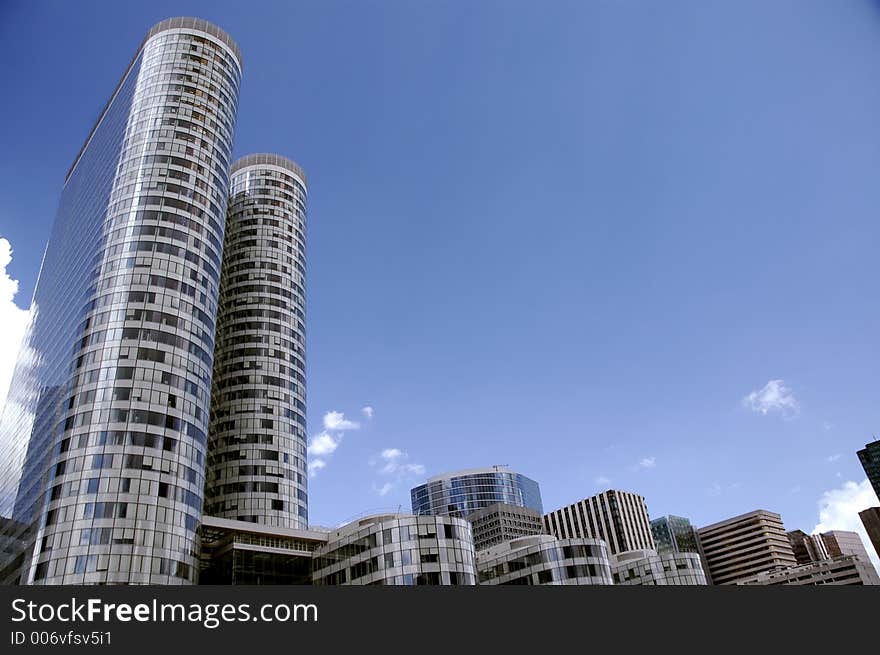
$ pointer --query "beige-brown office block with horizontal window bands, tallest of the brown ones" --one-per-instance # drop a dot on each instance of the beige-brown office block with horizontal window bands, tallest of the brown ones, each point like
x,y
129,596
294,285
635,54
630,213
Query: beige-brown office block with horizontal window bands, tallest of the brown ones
x,y
744,546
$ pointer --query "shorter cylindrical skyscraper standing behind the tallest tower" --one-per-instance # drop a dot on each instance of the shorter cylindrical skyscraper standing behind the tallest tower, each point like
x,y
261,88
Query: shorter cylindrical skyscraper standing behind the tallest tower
x,y
257,443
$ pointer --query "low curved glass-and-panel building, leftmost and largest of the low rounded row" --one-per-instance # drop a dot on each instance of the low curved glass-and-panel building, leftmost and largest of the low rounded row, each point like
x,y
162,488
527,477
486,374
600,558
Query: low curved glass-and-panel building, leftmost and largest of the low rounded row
x,y
397,549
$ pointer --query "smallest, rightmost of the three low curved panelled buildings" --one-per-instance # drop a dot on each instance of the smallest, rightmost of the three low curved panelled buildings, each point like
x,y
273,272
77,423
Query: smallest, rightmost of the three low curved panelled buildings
x,y
650,568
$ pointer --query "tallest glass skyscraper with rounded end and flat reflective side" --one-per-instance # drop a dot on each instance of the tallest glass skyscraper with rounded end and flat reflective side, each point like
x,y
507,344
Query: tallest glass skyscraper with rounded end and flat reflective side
x,y
104,435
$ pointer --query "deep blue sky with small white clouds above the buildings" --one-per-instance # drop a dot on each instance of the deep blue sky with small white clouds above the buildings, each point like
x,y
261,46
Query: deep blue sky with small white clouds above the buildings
x,y
570,237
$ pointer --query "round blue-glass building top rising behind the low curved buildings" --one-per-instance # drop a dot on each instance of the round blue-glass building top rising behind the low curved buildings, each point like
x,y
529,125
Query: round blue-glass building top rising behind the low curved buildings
x,y
463,492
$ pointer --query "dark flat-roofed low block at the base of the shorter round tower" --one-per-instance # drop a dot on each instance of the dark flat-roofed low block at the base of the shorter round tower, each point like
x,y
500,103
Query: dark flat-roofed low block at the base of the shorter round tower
x,y
246,553
